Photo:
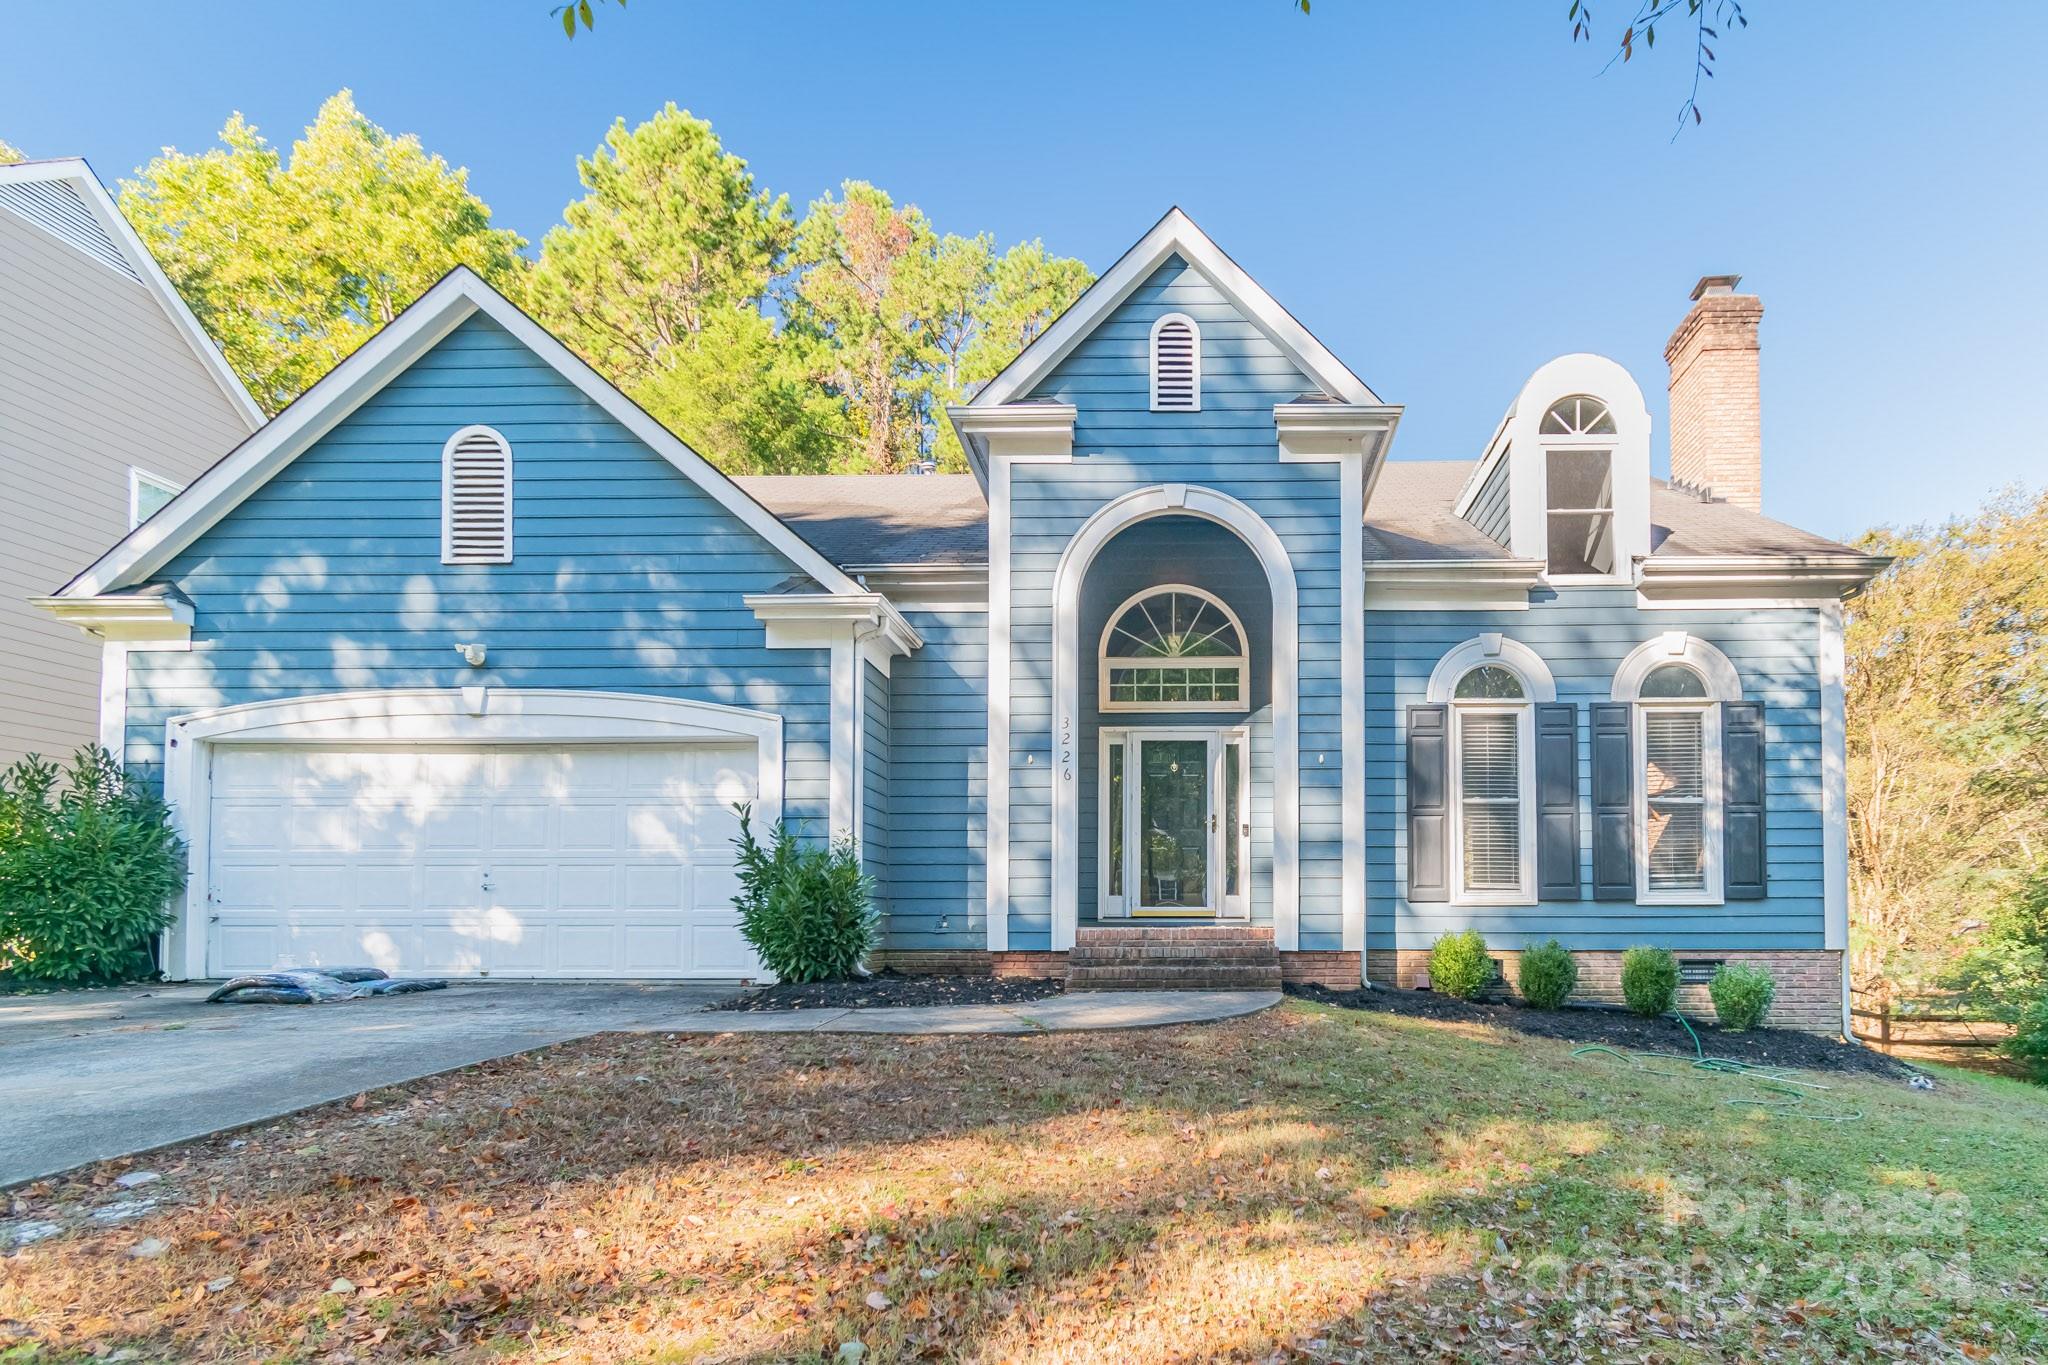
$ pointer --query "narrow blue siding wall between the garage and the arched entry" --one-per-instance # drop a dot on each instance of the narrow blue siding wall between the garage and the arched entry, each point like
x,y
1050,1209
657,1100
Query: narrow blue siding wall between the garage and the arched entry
x,y
939,793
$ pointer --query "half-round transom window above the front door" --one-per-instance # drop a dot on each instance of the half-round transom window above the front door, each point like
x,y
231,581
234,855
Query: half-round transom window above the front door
x,y
1175,648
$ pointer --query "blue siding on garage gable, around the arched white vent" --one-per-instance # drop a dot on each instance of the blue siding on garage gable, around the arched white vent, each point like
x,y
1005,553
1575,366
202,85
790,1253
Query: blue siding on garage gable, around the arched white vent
x,y
628,576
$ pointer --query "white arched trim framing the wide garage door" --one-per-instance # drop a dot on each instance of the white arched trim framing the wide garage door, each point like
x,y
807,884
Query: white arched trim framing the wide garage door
x,y
429,717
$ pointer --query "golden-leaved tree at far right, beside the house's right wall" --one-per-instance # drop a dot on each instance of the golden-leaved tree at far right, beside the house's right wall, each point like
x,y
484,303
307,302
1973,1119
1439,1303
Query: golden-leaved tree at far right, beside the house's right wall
x,y
1949,742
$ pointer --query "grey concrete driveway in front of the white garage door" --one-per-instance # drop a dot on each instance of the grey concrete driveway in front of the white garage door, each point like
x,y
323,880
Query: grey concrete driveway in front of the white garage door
x,y
87,1075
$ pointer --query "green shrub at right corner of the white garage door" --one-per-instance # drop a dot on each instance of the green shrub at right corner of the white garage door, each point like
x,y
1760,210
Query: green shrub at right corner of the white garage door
x,y
808,910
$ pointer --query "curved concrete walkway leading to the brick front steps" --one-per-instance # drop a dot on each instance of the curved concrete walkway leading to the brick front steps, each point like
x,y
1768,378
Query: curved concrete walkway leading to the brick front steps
x,y
1060,1014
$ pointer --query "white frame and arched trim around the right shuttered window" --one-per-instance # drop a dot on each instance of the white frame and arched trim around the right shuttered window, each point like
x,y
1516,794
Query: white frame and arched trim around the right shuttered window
x,y
1723,685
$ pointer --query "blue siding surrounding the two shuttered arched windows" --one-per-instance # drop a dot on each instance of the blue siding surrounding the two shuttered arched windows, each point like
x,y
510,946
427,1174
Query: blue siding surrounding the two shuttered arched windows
x,y
1582,635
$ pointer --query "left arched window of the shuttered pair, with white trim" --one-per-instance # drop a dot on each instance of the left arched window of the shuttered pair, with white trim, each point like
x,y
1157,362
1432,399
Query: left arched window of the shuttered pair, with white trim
x,y
1492,687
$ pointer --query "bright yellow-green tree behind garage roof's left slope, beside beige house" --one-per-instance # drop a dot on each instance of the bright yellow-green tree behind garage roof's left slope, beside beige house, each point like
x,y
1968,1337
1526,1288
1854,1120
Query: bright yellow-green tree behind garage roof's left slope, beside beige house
x,y
294,265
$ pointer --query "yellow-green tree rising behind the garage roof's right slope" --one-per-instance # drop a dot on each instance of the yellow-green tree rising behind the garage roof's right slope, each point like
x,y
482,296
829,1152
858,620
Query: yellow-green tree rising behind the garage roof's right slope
x,y
658,279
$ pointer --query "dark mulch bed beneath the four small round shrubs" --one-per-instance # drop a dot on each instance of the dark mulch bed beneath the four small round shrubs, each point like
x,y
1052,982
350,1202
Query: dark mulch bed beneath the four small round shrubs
x,y
1623,1030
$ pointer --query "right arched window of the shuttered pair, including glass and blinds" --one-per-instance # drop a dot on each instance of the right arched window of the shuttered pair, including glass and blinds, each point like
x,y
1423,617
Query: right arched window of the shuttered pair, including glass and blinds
x,y
1678,689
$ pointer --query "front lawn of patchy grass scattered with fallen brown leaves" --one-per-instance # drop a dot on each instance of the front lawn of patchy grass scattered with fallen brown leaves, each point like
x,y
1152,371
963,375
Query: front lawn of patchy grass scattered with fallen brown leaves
x,y
1308,1184
